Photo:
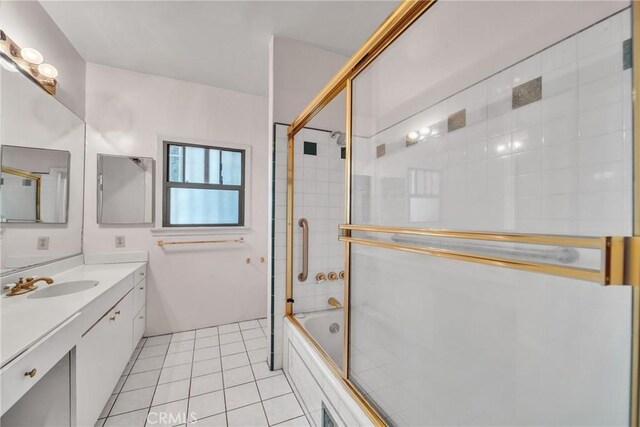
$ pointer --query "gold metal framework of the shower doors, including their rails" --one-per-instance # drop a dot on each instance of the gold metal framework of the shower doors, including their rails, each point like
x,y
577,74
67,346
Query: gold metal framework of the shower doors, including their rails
x,y
615,249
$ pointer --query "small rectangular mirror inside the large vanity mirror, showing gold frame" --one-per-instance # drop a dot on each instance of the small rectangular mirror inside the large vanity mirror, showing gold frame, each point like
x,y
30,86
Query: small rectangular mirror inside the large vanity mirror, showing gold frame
x,y
34,186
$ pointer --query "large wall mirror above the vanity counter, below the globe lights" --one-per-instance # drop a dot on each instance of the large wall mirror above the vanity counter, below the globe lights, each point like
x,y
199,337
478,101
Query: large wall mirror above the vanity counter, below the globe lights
x,y
42,189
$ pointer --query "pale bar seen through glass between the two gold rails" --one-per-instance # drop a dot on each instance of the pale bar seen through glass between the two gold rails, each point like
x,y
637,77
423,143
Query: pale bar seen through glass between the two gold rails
x,y
563,255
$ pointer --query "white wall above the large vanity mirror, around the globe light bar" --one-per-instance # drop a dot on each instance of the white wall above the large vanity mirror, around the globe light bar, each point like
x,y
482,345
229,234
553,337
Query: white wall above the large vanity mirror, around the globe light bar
x,y
29,25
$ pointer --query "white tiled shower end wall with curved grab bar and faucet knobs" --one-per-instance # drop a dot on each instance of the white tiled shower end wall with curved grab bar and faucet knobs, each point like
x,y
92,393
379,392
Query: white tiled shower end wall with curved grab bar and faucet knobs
x,y
319,197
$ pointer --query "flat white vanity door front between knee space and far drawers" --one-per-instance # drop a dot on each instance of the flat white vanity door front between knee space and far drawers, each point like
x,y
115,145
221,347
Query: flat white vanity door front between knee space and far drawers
x,y
101,357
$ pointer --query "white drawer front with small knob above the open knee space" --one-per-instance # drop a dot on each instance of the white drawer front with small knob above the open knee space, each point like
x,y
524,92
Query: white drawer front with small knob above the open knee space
x,y
38,360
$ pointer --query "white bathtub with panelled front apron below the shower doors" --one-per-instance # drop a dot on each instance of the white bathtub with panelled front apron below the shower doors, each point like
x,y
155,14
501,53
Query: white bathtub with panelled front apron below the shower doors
x,y
321,392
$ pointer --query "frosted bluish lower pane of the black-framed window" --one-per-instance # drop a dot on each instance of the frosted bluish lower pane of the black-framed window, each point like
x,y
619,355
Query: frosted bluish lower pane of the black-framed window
x,y
203,206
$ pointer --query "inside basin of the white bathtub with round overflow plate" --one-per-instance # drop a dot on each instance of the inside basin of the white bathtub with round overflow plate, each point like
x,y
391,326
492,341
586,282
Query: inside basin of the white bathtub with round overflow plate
x,y
327,328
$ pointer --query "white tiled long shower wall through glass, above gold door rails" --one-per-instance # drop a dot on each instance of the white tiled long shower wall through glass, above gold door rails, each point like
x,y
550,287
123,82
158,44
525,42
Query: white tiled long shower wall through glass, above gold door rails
x,y
541,147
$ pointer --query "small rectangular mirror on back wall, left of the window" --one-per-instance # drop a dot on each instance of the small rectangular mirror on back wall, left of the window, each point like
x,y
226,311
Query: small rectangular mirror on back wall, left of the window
x,y
125,189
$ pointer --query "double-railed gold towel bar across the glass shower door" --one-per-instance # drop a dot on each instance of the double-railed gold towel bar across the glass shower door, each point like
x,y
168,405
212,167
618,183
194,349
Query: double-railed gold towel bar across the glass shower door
x,y
612,250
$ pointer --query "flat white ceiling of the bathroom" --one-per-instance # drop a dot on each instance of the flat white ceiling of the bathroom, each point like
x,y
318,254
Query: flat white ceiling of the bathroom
x,y
217,43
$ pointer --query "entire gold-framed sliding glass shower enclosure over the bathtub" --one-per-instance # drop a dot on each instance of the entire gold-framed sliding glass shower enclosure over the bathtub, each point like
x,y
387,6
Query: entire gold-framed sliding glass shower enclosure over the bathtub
x,y
490,216
